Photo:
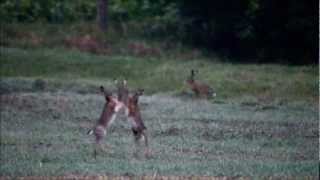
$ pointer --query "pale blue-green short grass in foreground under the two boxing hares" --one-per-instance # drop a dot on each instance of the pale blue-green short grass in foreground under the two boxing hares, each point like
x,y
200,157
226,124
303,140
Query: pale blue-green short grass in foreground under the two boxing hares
x,y
44,133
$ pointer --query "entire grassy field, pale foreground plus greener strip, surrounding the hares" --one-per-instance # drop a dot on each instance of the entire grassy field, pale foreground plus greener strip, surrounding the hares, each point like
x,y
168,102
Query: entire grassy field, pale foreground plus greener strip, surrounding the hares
x,y
263,122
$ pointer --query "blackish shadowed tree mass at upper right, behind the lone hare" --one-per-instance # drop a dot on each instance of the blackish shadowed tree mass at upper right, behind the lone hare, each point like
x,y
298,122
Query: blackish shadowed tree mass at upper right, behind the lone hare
x,y
265,30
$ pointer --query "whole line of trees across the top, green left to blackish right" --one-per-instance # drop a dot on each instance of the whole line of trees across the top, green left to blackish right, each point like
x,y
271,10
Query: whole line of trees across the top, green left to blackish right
x,y
283,31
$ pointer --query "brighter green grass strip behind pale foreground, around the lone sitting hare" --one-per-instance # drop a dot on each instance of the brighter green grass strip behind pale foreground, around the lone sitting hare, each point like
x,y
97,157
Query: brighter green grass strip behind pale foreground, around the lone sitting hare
x,y
239,82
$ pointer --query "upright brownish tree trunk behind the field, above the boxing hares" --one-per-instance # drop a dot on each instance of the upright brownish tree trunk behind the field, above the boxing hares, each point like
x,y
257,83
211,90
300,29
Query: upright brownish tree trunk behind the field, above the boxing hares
x,y
102,10
